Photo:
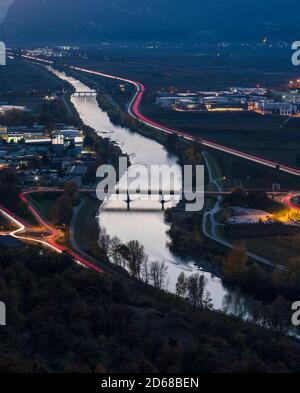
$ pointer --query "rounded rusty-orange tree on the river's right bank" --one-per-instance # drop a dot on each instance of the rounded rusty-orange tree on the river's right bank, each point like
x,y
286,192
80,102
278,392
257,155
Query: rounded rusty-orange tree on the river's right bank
x,y
235,263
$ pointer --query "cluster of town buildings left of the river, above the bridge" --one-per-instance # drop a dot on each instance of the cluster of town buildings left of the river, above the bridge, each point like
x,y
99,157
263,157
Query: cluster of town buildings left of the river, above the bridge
x,y
44,158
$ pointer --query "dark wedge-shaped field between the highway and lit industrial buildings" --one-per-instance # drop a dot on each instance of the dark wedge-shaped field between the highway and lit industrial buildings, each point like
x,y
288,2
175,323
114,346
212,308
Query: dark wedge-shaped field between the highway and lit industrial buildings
x,y
269,136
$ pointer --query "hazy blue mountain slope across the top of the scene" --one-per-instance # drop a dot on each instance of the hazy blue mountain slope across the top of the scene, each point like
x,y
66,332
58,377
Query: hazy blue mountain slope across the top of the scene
x,y
51,21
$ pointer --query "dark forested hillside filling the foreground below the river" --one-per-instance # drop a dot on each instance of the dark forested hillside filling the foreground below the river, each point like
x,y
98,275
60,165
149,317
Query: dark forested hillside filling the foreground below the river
x,y
64,318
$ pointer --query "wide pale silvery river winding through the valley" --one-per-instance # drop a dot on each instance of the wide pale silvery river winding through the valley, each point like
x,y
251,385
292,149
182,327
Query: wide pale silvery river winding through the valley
x,y
148,227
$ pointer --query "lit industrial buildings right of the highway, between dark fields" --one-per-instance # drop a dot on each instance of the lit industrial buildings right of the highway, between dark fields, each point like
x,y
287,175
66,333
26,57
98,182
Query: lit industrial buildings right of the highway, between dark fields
x,y
235,99
